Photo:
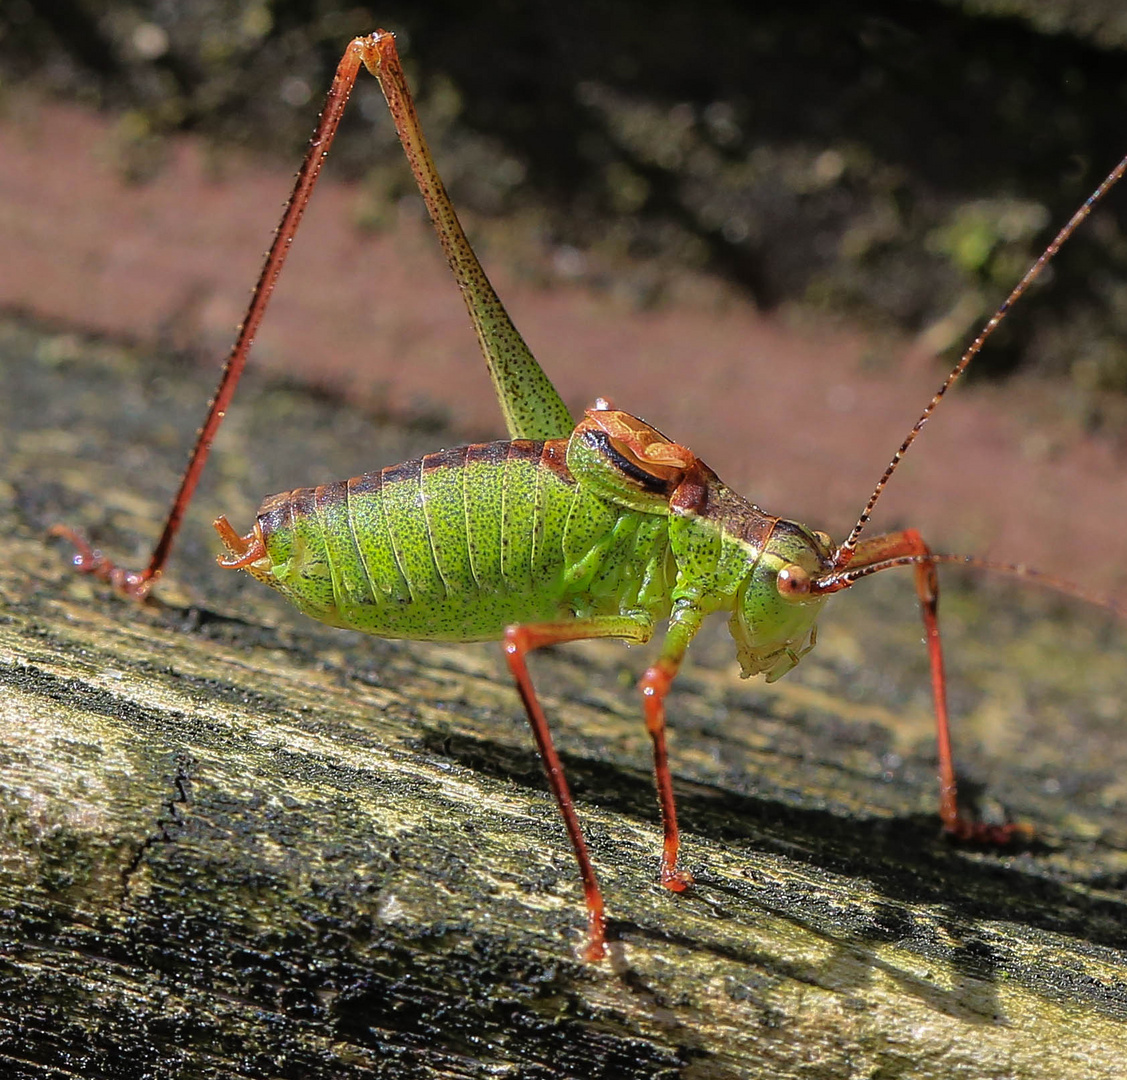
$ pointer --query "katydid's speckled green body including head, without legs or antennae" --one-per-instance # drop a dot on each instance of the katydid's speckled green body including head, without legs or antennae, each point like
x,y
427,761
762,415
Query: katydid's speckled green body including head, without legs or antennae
x,y
463,544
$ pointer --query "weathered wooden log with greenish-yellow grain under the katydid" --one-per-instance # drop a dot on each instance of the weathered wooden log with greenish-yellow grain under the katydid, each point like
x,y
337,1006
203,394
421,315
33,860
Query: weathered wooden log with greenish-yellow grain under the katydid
x,y
241,845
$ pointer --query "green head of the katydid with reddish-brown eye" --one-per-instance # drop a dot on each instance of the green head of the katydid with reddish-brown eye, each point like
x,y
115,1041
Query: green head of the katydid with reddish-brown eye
x,y
777,607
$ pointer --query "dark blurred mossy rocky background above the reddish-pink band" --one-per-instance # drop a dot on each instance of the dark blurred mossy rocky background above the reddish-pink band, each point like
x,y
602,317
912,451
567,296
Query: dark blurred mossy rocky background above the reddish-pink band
x,y
900,162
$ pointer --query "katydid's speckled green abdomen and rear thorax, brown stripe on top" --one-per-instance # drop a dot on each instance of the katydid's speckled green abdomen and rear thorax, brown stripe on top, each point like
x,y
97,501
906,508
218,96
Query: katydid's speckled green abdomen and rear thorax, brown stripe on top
x,y
462,544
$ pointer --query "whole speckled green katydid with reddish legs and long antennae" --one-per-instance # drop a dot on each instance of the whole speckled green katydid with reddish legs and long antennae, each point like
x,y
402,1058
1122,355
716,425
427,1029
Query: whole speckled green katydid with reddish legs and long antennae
x,y
567,532
